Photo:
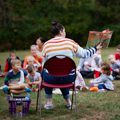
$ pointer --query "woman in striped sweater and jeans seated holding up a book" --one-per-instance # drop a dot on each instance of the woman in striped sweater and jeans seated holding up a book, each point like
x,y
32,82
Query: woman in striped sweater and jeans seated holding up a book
x,y
60,45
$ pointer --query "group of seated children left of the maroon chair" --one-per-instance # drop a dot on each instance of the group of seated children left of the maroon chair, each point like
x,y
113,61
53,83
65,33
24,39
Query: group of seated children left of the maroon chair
x,y
23,76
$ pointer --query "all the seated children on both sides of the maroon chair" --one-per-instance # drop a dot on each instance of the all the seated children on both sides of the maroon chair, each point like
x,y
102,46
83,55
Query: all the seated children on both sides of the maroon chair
x,y
17,71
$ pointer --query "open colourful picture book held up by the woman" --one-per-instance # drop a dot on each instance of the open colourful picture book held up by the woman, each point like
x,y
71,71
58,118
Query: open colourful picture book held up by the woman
x,y
95,37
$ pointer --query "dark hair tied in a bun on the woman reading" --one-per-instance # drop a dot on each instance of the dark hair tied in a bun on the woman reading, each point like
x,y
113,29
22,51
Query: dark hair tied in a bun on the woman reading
x,y
56,28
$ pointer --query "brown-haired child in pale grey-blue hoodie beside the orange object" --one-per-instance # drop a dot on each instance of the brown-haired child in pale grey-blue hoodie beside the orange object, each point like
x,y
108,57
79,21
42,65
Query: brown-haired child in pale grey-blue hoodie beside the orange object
x,y
104,82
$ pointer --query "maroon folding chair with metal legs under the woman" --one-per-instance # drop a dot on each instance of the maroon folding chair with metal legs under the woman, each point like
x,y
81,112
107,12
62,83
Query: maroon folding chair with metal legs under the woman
x,y
58,66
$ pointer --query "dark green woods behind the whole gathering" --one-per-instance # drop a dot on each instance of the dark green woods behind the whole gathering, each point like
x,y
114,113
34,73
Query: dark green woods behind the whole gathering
x,y
22,21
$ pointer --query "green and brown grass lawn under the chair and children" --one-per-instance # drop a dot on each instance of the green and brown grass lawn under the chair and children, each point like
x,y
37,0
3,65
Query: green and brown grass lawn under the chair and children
x,y
91,106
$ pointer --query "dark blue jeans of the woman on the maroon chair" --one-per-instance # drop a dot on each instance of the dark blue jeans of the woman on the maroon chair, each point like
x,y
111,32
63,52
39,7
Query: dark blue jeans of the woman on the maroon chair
x,y
58,80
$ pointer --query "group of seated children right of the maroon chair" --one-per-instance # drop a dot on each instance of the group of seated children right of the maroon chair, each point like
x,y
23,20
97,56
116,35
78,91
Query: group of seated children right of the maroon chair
x,y
102,72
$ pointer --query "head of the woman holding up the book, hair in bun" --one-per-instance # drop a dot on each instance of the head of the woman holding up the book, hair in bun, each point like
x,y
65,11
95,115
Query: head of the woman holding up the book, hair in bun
x,y
58,29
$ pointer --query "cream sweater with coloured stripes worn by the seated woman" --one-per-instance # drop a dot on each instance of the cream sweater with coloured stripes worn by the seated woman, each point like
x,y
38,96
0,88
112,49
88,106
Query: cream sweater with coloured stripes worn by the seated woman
x,y
65,46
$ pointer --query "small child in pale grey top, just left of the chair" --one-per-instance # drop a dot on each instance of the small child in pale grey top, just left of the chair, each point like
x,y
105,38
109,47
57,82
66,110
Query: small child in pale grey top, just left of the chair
x,y
33,78
